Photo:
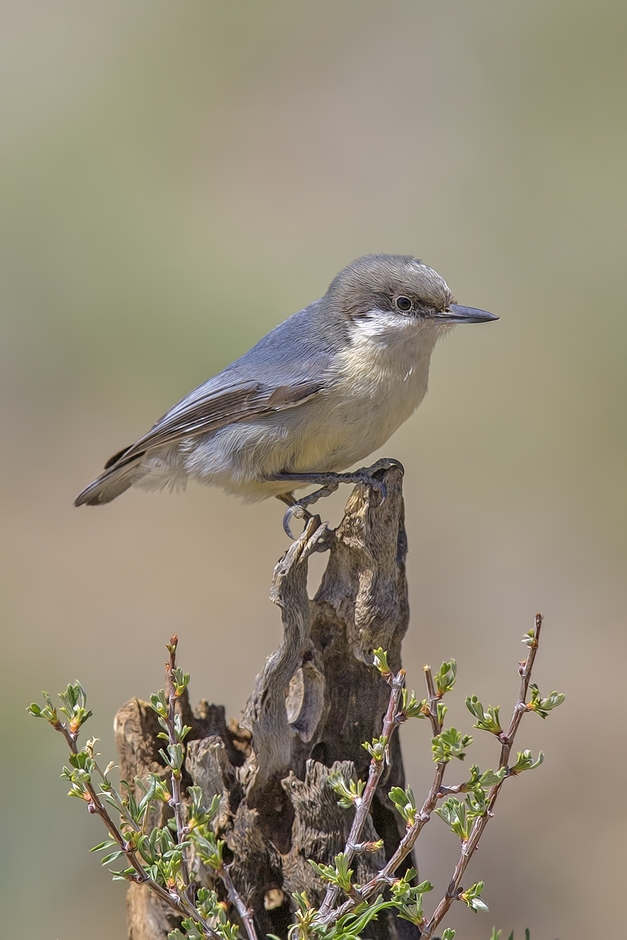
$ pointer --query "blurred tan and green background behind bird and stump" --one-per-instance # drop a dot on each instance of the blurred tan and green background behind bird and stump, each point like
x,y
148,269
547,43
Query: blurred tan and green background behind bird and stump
x,y
177,178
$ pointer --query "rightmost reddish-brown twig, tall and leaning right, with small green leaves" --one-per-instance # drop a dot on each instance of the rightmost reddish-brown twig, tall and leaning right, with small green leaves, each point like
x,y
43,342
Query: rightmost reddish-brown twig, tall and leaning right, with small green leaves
x,y
507,742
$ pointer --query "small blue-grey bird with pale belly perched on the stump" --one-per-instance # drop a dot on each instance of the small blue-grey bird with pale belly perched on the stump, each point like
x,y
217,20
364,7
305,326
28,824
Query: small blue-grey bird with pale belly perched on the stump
x,y
315,396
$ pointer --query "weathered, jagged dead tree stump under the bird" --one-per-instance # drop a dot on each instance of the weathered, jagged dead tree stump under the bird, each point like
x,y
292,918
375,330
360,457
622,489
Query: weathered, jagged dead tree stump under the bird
x,y
315,702
